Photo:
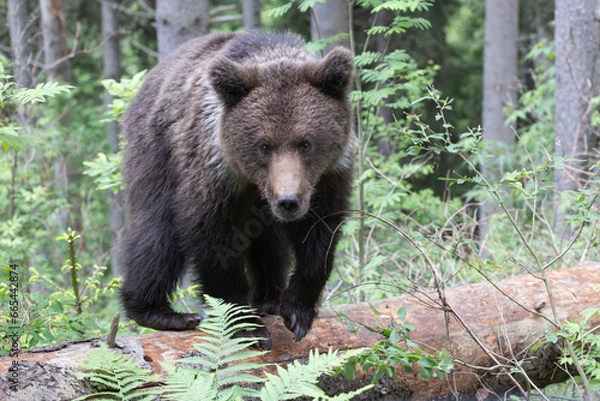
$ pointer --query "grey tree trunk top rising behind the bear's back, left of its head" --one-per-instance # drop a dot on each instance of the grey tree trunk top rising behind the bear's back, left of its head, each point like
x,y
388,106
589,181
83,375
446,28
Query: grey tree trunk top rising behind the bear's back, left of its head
x,y
176,25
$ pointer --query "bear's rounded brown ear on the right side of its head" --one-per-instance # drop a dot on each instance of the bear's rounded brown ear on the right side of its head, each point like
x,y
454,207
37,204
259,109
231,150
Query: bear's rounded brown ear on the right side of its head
x,y
333,74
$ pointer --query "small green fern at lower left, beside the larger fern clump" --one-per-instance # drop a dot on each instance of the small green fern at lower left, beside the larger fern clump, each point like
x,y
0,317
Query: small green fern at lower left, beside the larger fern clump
x,y
117,375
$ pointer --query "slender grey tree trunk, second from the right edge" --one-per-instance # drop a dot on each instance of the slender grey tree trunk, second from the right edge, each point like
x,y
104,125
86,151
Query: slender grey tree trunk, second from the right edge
x,y
499,90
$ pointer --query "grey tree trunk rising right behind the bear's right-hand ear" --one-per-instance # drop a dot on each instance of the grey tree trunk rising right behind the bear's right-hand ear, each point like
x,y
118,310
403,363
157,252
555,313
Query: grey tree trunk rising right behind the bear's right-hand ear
x,y
329,19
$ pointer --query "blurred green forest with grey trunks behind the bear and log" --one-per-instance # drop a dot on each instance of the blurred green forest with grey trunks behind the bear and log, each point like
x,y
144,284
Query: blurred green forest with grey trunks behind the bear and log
x,y
477,140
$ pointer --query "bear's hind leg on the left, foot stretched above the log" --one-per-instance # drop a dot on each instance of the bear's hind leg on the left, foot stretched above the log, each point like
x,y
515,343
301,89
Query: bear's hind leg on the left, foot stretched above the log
x,y
154,265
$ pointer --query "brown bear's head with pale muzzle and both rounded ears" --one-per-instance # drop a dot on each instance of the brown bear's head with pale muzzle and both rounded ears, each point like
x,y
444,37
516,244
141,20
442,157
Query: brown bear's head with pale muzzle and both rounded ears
x,y
285,124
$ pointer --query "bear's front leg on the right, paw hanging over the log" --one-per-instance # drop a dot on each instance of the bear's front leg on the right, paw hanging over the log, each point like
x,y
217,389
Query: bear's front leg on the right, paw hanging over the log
x,y
314,245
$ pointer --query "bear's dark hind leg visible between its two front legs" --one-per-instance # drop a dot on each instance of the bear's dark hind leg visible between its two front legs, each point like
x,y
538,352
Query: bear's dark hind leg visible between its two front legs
x,y
267,269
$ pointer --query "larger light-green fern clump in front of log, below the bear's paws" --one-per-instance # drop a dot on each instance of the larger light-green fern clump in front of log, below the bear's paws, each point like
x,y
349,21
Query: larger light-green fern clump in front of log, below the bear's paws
x,y
222,363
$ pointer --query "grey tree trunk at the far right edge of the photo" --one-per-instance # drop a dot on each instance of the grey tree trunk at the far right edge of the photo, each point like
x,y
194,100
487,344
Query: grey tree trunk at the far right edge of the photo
x,y
576,47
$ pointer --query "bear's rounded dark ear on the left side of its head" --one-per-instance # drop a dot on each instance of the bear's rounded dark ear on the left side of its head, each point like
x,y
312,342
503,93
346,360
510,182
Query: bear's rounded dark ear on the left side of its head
x,y
232,81
